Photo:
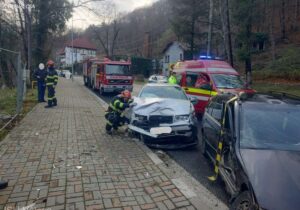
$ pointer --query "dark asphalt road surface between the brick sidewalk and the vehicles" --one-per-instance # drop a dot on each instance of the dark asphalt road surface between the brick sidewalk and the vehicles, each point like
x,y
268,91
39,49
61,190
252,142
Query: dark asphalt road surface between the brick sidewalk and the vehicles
x,y
191,160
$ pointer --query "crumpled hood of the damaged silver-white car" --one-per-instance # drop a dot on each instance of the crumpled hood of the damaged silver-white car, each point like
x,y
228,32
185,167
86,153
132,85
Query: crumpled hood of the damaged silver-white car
x,y
159,106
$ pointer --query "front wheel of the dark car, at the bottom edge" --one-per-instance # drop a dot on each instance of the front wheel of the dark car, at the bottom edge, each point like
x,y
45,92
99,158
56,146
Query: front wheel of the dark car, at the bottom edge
x,y
242,202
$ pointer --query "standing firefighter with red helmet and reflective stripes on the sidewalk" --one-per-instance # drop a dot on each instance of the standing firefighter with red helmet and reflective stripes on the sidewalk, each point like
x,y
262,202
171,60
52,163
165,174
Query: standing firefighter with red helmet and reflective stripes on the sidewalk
x,y
51,82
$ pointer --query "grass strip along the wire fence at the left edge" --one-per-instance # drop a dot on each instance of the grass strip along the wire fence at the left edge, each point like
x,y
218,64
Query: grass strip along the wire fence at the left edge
x,y
8,106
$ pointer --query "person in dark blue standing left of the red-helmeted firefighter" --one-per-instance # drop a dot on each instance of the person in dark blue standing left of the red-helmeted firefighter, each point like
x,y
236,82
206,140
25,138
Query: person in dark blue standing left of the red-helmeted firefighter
x,y
40,76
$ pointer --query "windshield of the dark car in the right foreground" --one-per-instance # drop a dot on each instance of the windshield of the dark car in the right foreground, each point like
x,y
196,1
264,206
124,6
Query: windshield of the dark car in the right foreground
x,y
270,127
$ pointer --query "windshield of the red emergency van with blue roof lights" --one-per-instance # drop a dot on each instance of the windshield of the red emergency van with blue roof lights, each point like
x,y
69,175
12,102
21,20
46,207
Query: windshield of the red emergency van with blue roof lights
x,y
227,81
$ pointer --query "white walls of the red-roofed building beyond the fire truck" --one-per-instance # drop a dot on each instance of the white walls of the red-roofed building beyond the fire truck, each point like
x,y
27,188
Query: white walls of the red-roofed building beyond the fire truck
x,y
78,55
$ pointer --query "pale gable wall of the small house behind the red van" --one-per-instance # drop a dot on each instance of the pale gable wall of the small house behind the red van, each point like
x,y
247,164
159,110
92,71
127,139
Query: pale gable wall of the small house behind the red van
x,y
174,54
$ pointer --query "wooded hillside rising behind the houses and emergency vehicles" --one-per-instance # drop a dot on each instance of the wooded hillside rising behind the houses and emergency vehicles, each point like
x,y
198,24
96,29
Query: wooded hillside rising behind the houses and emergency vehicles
x,y
234,29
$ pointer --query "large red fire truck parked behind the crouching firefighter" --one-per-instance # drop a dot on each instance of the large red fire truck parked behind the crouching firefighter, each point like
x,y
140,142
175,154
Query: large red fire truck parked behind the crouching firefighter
x,y
107,75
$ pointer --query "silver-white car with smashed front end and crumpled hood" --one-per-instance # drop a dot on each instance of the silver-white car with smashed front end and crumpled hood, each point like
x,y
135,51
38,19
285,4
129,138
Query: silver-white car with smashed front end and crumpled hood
x,y
164,117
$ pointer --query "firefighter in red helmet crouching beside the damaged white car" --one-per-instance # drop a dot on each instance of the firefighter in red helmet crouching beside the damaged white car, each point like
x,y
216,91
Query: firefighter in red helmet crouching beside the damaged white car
x,y
115,113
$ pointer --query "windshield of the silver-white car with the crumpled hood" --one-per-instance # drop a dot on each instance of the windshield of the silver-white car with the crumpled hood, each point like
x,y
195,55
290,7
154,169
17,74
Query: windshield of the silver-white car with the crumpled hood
x,y
172,92
